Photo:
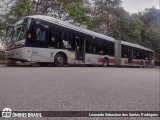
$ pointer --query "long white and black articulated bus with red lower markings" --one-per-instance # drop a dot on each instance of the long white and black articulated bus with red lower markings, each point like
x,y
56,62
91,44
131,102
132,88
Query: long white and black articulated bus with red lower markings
x,y
45,40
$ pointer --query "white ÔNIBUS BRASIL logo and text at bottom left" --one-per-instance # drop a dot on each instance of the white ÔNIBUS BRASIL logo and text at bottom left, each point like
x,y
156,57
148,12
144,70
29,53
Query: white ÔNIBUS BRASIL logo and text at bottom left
x,y
7,113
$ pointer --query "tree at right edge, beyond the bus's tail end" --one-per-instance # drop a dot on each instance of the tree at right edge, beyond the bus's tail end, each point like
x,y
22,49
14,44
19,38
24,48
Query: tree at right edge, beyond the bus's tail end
x,y
151,29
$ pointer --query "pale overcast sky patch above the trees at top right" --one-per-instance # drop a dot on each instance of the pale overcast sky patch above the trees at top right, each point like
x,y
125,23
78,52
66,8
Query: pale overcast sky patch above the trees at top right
x,y
135,6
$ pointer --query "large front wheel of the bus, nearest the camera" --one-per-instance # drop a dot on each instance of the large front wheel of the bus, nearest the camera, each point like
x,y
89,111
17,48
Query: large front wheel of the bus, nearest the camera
x,y
59,60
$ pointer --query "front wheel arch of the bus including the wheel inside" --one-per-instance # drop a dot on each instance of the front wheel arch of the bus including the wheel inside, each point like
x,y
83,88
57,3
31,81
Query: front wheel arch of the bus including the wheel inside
x,y
60,59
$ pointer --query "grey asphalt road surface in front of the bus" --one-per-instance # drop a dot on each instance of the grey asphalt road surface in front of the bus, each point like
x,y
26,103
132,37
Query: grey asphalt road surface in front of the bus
x,y
80,89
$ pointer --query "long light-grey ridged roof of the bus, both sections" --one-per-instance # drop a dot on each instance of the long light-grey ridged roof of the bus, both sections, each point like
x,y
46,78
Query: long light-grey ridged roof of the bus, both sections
x,y
83,30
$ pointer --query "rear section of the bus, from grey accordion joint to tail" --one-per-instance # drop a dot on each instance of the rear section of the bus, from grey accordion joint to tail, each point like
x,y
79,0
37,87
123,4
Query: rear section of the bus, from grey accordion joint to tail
x,y
128,54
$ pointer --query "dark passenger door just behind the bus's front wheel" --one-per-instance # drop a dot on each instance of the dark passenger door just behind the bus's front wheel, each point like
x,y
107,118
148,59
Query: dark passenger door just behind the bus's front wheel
x,y
79,49
